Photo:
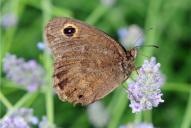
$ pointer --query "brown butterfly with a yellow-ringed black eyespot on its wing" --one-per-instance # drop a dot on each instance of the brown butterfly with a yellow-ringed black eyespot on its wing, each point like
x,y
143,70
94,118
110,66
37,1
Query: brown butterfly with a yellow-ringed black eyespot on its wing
x,y
89,64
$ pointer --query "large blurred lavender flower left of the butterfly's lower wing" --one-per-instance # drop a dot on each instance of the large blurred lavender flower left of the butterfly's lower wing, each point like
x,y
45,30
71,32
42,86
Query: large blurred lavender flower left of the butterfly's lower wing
x,y
29,75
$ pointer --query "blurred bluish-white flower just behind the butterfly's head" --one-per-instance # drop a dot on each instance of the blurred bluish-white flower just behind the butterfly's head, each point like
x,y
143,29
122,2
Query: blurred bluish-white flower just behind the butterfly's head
x,y
131,36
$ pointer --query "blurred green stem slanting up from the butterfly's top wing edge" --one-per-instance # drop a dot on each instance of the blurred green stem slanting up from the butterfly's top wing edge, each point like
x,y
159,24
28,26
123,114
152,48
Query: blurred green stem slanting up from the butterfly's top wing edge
x,y
97,14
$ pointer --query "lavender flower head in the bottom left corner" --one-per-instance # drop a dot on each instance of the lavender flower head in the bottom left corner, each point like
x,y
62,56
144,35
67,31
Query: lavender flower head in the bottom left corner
x,y
21,118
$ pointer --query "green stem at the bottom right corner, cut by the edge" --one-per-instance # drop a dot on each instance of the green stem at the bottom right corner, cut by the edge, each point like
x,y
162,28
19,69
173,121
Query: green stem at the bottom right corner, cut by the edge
x,y
187,116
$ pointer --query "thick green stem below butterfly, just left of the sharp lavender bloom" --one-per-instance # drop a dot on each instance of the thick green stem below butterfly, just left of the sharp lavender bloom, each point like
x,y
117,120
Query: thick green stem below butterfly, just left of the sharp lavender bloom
x,y
118,108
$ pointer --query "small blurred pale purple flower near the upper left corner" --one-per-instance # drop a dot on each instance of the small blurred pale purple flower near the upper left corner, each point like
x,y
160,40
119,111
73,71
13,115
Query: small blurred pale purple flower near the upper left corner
x,y
9,20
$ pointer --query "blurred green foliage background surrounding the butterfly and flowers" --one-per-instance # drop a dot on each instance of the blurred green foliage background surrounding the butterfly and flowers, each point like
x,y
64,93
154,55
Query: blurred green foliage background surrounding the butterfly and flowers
x,y
170,21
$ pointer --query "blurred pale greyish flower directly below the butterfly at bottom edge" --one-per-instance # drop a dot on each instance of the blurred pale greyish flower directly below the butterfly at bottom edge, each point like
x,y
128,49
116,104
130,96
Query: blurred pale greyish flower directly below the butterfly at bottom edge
x,y
97,114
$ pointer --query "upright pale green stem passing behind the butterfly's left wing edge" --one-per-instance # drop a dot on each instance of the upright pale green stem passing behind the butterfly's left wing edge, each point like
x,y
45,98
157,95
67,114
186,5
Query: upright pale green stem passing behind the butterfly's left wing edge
x,y
46,7
